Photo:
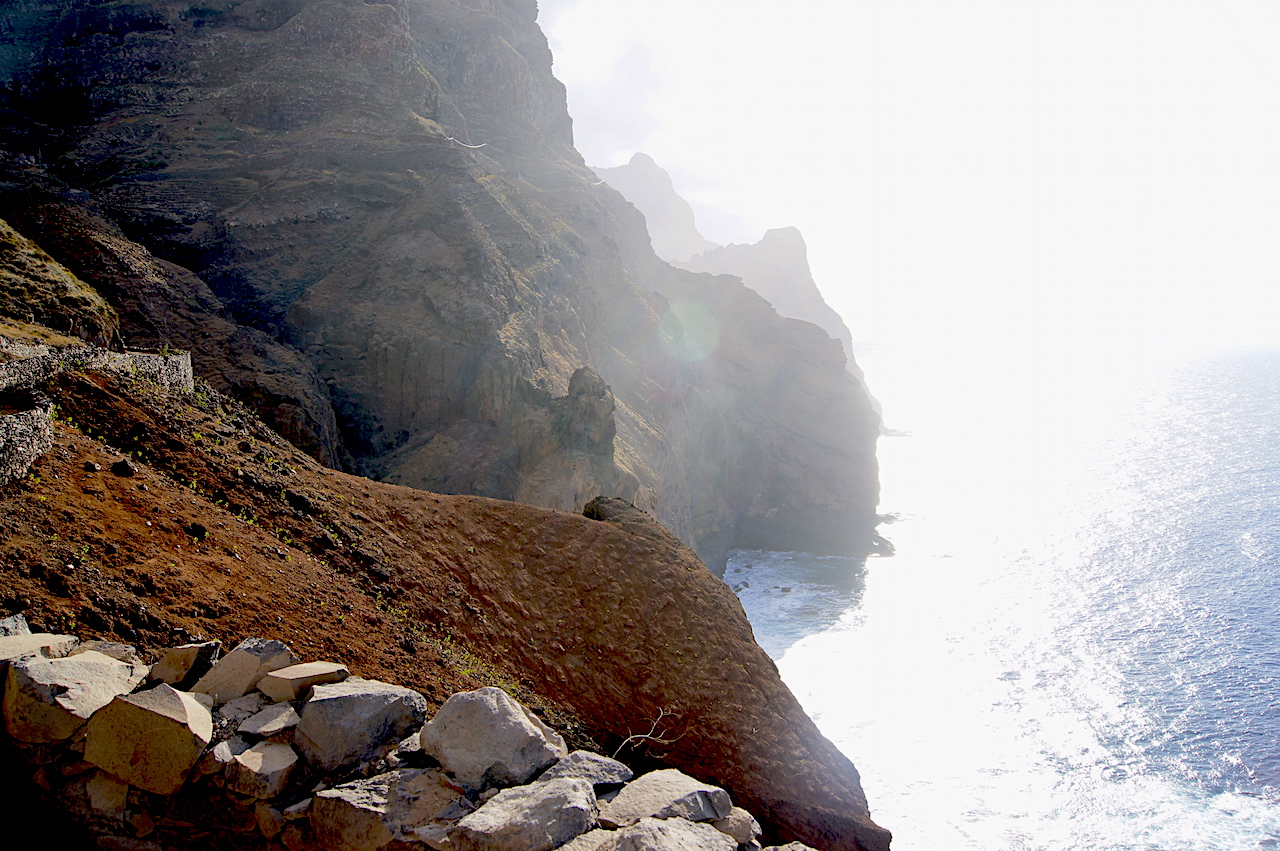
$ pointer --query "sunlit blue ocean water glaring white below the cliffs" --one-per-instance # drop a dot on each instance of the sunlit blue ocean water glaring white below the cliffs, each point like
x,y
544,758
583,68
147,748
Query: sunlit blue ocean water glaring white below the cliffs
x,y
1077,644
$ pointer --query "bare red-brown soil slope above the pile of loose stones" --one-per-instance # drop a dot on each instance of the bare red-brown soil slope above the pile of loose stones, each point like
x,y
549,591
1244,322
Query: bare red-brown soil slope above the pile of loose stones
x,y
227,532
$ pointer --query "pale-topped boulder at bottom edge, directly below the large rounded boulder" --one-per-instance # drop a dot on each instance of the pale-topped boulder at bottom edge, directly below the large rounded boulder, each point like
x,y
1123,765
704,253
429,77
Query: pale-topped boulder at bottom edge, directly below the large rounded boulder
x,y
540,817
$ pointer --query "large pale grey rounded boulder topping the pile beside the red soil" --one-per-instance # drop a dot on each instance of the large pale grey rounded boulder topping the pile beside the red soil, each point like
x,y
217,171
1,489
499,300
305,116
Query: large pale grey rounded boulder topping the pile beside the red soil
x,y
486,738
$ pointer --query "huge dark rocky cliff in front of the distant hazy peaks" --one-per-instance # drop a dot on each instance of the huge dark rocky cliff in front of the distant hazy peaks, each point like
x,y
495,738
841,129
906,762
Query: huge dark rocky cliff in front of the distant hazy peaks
x,y
369,222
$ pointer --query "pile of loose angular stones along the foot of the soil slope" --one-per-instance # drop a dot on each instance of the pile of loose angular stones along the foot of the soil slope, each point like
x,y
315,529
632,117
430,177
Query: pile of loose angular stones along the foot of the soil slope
x,y
314,758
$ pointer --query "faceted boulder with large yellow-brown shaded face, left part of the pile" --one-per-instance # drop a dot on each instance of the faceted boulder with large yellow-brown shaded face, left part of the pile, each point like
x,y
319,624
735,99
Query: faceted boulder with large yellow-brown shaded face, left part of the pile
x,y
150,740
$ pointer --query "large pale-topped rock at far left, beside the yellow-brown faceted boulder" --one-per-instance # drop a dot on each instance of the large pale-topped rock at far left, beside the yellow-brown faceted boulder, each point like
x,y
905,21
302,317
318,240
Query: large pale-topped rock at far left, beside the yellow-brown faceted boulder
x,y
48,701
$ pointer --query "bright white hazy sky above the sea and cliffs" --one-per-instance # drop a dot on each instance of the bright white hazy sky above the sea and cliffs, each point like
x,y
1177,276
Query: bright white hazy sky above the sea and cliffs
x,y
1063,175
